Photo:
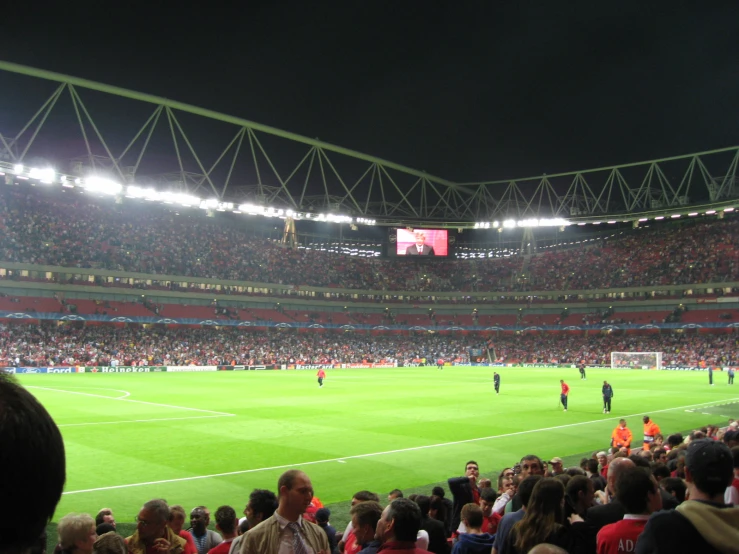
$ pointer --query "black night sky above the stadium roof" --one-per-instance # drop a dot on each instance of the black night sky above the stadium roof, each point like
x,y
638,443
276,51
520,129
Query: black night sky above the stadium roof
x,y
473,90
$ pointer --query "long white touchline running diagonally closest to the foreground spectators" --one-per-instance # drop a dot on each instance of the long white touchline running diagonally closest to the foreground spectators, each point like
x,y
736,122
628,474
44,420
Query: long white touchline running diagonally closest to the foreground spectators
x,y
372,454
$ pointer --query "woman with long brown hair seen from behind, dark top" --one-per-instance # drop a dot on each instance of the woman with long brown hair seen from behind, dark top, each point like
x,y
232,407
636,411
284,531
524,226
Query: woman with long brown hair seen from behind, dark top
x,y
544,522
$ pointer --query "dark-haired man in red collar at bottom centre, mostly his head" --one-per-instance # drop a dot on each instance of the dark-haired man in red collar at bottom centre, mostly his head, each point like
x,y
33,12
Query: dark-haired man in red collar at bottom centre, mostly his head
x,y
398,527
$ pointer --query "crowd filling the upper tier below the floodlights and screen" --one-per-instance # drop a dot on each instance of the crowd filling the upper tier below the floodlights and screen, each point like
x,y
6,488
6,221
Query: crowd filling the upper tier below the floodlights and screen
x,y
74,231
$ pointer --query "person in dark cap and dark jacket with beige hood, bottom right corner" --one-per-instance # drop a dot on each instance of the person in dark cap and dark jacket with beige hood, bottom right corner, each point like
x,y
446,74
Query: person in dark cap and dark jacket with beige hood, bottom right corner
x,y
703,524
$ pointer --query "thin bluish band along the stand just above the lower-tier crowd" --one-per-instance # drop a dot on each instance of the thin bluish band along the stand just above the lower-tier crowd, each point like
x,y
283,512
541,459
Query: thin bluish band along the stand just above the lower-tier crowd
x,y
53,316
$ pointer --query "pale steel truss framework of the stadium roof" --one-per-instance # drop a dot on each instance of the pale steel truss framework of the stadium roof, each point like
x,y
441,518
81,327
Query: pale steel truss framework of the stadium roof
x,y
260,164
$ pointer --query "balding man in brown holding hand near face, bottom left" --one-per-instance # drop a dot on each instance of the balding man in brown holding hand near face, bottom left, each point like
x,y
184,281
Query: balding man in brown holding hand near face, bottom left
x,y
152,533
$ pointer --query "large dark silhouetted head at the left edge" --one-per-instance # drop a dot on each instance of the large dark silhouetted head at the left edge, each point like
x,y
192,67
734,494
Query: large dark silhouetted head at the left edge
x,y
31,451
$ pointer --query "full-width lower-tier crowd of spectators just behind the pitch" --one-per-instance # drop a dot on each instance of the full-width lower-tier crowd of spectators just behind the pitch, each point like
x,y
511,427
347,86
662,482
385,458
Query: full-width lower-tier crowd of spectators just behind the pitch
x,y
103,345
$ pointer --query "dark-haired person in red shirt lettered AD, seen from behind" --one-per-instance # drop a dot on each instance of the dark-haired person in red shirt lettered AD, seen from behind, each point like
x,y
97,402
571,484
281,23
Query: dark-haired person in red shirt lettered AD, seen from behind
x,y
639,494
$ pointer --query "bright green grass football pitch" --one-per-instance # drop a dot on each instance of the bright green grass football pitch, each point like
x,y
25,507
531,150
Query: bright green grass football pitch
x,y
211,438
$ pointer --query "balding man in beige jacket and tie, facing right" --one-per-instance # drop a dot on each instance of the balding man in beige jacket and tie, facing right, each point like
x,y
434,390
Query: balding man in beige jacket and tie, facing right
x,y
286,530
